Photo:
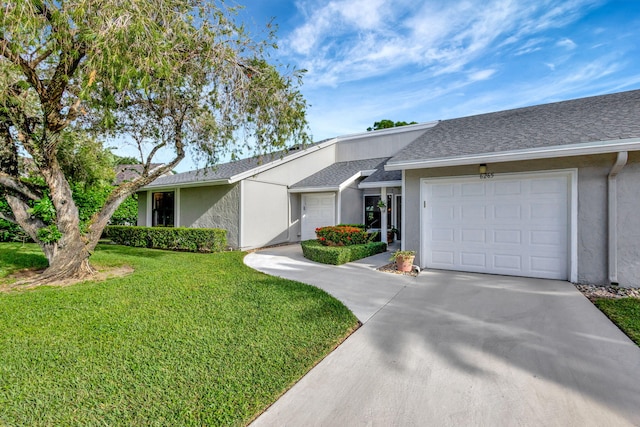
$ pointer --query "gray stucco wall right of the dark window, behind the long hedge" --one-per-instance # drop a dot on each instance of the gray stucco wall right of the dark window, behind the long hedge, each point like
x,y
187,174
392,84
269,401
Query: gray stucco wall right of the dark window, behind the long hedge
x,y
212,207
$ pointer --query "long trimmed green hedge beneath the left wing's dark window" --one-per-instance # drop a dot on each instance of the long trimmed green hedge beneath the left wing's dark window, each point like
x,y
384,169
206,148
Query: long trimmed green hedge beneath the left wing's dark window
x,y
176,239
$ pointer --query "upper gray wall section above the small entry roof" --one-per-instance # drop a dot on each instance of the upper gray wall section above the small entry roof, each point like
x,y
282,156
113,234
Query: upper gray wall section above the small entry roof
x,y
375,146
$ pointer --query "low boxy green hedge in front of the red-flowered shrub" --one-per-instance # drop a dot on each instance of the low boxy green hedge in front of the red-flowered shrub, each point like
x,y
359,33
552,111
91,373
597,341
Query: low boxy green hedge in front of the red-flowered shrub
x,y
336,255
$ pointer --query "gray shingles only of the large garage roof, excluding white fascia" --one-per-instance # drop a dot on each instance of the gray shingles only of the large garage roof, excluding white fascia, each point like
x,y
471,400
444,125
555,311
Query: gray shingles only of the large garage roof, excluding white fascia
x,y
593,119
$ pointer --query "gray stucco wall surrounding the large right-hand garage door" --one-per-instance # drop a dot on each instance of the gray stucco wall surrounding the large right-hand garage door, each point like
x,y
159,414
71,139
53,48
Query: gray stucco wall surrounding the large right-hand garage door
x,y
592,210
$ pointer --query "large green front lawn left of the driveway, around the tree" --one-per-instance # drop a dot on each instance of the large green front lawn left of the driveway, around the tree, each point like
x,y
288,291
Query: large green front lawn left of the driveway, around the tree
x,y
187,339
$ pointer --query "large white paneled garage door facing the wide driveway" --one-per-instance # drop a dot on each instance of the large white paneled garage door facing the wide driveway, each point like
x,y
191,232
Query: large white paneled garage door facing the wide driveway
x,y
513,225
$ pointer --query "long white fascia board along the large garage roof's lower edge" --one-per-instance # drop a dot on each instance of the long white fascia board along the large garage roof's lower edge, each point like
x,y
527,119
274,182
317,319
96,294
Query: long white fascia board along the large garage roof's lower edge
x,y
589,148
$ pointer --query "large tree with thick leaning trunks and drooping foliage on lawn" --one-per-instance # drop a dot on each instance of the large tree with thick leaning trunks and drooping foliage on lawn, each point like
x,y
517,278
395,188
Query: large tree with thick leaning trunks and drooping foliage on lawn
x,y
165,74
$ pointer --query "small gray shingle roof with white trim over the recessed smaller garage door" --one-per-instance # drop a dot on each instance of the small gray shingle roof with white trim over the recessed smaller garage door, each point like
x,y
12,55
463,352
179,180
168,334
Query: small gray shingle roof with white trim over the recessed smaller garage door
x,y
338,175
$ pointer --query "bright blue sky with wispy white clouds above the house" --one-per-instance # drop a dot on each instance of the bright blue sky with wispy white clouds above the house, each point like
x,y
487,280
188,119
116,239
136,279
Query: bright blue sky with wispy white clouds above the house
x,y
414,60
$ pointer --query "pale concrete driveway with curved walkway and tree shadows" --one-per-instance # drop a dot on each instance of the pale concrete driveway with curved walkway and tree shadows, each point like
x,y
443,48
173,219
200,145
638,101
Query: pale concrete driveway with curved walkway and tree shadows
x,y
459,349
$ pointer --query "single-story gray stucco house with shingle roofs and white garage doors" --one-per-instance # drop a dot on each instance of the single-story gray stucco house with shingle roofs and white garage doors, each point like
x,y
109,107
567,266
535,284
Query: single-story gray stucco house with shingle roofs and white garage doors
x,y
549,191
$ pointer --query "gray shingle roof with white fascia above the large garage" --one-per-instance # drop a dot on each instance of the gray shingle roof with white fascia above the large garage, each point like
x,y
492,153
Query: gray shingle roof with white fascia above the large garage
x,y
591,125
